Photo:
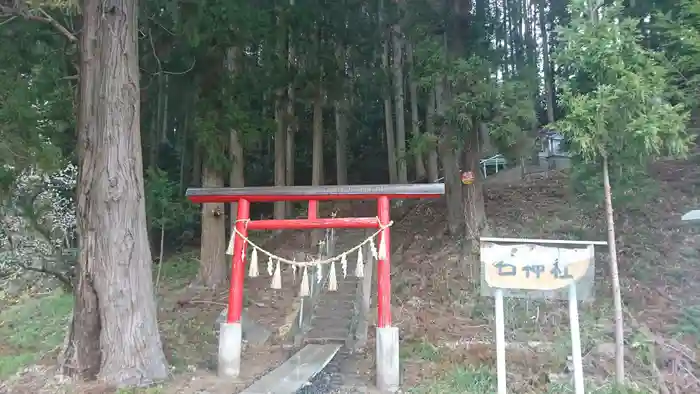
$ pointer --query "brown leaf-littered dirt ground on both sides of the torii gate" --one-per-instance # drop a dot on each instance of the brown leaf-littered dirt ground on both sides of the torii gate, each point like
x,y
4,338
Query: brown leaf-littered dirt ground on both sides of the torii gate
x,y
446,327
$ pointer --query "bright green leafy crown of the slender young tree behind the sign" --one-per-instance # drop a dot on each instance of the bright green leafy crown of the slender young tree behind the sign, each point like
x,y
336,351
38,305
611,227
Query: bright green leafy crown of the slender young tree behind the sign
x,y
615,94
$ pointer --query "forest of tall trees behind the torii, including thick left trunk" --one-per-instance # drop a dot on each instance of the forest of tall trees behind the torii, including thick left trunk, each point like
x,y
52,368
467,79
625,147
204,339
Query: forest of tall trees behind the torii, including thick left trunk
x,y
110,110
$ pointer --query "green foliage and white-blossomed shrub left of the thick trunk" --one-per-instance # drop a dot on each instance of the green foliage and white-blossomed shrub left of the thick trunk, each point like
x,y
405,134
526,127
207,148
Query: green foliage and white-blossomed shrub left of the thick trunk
x,y
37,180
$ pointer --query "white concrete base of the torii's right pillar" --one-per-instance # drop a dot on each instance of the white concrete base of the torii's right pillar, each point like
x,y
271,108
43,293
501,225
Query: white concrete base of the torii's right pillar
x,y
388,369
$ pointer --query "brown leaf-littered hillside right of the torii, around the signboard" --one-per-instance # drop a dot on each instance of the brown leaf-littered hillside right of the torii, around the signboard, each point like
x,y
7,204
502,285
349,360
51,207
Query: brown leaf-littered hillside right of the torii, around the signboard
x,y
658,258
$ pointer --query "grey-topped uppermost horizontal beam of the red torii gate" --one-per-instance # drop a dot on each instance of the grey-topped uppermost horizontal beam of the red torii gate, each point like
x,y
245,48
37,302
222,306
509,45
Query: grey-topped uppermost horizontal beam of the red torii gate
x,y
318,193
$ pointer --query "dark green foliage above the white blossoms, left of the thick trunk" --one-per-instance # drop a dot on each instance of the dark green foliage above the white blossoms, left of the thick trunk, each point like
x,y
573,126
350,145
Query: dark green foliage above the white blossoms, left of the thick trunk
x,y
35,100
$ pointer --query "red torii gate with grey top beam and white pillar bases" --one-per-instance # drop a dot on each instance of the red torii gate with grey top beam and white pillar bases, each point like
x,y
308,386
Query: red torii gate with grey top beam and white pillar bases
x,y
387,339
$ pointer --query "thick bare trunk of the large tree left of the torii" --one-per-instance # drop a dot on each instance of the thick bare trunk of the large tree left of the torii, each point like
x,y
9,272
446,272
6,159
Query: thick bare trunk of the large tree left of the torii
x,y
114,332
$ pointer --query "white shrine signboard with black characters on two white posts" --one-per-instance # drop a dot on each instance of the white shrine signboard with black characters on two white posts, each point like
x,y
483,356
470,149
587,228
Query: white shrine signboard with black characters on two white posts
x,y
527,269
